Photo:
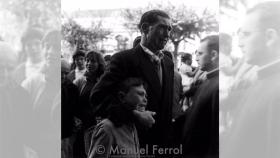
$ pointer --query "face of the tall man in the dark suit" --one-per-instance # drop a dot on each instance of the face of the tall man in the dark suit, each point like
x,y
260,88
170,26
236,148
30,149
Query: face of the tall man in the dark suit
x,y
158,34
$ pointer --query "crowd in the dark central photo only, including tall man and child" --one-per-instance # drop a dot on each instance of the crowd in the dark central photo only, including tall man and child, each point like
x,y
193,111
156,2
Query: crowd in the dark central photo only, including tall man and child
x,y
137,103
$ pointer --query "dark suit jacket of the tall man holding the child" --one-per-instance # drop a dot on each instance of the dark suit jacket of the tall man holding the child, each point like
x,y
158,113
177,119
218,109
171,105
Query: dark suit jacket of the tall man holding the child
x,y
136,63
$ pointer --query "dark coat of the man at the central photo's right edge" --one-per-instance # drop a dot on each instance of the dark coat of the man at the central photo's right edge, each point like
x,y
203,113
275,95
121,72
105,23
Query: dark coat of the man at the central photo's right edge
x,y
201,129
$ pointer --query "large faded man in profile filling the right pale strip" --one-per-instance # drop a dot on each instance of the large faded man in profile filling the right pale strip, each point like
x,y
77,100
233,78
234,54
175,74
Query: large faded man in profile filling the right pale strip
x,y
255,129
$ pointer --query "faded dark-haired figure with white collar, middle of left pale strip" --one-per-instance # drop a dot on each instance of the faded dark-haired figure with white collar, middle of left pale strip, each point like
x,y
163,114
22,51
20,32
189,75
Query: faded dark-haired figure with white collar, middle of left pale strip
x,y
31,55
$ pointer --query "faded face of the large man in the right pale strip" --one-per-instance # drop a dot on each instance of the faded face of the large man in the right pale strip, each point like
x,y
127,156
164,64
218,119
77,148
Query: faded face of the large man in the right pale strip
x,y
251,39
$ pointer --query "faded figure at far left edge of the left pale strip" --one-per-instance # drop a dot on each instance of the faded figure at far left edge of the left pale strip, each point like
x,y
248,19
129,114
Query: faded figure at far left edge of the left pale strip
x,y
15,109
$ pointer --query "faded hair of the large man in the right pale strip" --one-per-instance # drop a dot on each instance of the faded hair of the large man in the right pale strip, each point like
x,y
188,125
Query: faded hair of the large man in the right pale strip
x,y
269,13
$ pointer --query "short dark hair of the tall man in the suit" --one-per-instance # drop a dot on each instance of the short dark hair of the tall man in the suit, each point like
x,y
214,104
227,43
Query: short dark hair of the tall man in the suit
x,y
151,17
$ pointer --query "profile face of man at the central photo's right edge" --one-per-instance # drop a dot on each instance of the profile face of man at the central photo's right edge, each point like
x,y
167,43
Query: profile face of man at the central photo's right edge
x,y
203,57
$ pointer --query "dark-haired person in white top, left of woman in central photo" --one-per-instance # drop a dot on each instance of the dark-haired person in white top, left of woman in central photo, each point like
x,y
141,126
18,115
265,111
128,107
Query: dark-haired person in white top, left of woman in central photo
x,y
79,66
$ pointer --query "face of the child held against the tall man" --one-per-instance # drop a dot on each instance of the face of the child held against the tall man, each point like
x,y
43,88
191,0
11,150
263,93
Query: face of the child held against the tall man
x,y
136,96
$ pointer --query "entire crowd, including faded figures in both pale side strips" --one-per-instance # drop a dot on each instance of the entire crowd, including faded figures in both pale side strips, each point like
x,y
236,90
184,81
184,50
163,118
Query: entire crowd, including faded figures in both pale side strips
x,y
136,103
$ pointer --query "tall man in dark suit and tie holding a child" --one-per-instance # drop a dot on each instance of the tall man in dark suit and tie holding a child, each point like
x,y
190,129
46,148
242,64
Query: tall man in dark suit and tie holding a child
x,y
145,61
